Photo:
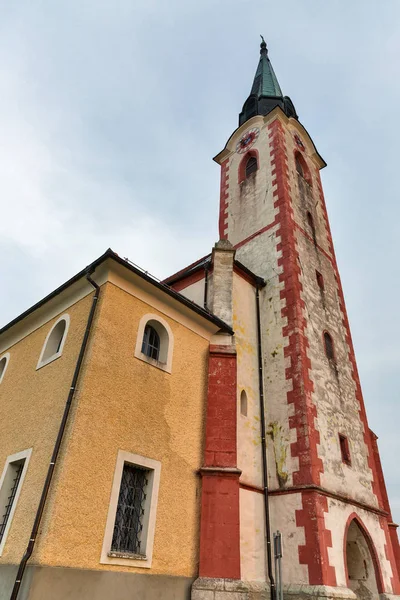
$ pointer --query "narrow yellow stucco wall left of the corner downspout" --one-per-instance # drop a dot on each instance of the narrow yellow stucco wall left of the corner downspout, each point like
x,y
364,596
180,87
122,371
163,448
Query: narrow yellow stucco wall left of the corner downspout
x,y
31,405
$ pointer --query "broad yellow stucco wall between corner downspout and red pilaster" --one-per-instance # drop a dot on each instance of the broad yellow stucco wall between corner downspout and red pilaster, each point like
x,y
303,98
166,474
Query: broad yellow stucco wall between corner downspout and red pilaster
x,y
126,404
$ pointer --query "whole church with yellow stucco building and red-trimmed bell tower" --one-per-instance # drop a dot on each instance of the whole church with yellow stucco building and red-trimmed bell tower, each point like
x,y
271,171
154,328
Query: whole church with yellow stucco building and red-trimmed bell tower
x,y
156,435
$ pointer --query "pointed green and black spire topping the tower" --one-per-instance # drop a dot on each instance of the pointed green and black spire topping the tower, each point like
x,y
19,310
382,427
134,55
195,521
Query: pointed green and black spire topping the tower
x,y
266,92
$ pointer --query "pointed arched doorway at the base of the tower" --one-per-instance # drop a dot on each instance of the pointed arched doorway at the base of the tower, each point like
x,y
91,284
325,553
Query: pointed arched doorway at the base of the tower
x,y
363,573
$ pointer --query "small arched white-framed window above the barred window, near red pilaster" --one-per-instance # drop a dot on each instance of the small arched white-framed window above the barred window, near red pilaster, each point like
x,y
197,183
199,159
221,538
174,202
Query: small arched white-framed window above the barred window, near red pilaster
x,y
154,342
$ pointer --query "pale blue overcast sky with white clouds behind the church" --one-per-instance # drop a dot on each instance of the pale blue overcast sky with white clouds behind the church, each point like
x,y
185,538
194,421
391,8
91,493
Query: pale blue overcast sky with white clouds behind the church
x,y
111,112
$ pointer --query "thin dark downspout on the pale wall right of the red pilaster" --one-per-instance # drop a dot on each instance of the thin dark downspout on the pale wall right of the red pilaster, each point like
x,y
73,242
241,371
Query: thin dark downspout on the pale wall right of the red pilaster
x,y
264,448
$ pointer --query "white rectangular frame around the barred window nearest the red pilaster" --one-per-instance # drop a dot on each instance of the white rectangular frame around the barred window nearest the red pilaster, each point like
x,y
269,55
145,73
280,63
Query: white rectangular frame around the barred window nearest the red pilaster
x,y
150,510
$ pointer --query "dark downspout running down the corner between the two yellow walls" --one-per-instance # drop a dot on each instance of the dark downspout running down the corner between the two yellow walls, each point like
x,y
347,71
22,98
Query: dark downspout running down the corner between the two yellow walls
x,y
53,461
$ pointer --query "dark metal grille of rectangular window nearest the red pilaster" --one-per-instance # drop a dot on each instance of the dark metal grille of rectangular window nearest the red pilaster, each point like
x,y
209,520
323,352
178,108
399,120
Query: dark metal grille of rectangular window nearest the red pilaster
x,y
130,511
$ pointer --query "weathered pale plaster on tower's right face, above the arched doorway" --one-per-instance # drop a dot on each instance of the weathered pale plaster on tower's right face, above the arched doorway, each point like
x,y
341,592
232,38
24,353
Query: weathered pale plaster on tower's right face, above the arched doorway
x,y
334,388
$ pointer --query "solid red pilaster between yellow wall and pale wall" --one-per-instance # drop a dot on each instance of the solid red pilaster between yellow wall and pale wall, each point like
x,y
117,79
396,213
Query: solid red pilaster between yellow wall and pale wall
x,y
219,528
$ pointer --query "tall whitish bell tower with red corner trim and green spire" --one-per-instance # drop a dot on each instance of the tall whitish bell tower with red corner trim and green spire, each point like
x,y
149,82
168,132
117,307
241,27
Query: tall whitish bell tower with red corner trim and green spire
x,y
325,487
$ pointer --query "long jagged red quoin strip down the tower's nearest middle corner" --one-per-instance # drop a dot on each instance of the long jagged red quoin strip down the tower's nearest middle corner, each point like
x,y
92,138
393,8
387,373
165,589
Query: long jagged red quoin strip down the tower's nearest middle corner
x,y
315,552
